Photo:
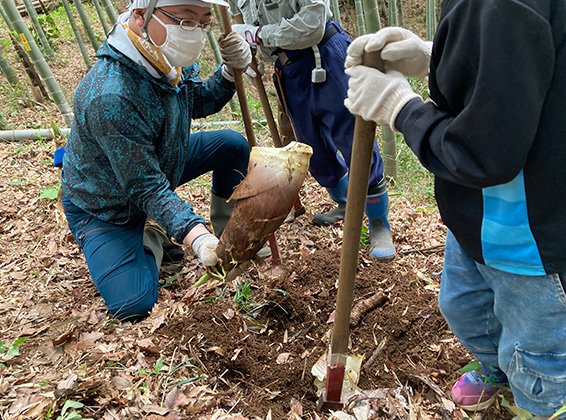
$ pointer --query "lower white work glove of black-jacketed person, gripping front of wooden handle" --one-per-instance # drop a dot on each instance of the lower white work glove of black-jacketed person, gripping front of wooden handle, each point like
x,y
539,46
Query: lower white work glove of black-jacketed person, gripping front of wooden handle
x,y
377,96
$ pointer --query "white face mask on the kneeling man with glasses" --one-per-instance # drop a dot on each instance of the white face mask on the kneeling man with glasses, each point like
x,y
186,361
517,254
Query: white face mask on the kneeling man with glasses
x,y
181,47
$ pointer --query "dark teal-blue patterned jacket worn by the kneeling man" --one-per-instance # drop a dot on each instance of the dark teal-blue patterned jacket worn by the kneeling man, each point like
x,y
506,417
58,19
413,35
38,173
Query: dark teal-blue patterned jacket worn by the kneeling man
x,y
128,142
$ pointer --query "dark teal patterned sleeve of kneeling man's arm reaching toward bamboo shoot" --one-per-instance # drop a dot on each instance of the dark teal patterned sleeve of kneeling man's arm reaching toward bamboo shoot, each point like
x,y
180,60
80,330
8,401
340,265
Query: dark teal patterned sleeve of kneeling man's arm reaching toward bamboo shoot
x,y
126,138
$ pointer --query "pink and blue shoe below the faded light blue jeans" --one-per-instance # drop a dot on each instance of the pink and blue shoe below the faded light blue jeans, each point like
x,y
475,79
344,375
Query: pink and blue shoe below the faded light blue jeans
x,y
474,392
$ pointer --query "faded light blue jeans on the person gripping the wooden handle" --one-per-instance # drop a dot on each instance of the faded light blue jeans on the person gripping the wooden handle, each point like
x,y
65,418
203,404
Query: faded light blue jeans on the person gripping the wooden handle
x,y
514,322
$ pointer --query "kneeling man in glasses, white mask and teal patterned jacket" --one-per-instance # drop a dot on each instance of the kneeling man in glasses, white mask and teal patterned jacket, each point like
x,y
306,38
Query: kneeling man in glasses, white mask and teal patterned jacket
x,y
130,146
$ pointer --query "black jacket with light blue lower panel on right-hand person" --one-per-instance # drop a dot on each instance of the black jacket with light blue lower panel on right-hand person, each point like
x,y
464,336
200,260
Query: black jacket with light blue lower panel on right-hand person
x,y
495,137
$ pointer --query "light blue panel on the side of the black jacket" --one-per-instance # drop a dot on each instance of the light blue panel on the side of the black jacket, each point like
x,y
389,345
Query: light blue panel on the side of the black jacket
x,y
508,243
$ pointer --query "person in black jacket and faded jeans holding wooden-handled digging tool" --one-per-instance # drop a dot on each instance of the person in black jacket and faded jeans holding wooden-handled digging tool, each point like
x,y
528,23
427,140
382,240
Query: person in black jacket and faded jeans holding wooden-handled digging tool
x,y
493,135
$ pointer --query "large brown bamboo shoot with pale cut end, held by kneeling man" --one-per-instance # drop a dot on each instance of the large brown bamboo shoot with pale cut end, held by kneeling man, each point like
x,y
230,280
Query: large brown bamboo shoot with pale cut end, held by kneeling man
x,y
264,199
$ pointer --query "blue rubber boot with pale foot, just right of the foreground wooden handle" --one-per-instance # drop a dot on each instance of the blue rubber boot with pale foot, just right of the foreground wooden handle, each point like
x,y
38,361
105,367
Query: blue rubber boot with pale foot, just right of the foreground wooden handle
x,y
377,207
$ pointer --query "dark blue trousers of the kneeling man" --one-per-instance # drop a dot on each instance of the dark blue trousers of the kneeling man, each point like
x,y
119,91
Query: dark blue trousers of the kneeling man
x,y
125,273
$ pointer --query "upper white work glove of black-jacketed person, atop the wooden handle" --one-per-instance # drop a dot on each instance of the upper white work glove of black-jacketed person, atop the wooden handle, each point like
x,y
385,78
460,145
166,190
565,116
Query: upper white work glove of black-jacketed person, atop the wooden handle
x,y
401,50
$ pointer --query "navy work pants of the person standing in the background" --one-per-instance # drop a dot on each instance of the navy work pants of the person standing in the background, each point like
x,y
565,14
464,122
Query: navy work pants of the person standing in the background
x,y
317,110
